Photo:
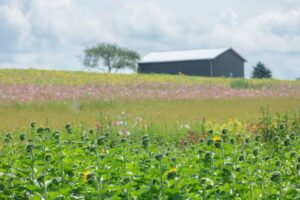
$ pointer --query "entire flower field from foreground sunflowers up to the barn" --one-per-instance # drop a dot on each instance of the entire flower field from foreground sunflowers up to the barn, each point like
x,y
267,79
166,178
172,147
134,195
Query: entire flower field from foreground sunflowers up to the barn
x,y
76,135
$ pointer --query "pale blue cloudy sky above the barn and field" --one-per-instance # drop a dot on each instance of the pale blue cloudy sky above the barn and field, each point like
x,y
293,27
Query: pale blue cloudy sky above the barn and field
x,y
52,34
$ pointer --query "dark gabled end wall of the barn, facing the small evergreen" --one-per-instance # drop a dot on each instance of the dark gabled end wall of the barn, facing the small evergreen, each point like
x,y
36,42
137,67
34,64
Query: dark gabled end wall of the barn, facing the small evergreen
x,y
228,64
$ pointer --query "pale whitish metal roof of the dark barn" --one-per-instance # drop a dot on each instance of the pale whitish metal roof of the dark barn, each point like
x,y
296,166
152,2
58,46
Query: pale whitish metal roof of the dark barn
x,y
171,56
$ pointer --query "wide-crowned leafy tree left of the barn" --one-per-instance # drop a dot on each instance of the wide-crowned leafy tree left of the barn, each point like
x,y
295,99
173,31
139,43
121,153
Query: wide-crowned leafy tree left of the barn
x,y
112,57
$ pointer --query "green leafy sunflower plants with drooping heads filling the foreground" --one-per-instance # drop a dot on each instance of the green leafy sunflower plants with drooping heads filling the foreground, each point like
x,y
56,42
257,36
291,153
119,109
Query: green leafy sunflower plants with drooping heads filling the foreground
x,y
117,160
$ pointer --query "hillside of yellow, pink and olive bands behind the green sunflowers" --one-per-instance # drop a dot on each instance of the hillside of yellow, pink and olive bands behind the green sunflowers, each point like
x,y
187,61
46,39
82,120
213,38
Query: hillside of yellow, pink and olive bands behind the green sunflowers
x,y
57,97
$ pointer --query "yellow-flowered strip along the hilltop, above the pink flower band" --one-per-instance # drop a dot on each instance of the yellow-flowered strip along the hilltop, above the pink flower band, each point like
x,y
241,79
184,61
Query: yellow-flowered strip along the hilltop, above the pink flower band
x,y
51,77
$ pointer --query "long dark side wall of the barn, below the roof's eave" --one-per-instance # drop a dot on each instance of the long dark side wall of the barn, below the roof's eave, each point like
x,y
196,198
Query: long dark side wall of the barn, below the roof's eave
x,y
196,68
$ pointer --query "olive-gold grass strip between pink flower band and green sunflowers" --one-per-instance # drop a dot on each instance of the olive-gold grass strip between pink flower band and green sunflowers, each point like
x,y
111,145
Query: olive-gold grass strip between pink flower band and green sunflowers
x,y
158,111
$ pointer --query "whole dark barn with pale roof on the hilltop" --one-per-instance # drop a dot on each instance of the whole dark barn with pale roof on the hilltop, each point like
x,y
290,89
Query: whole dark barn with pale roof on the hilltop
x,y
203,62
